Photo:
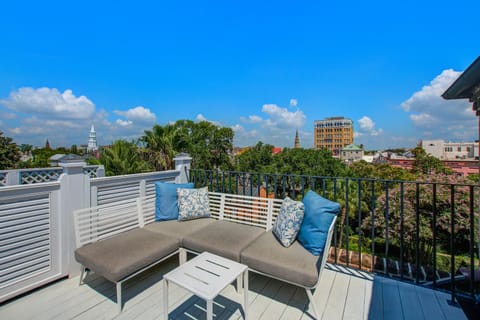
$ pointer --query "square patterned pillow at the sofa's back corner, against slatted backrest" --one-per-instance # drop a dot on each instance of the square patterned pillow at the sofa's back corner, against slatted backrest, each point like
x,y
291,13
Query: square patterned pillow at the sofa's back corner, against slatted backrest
x,y
193,203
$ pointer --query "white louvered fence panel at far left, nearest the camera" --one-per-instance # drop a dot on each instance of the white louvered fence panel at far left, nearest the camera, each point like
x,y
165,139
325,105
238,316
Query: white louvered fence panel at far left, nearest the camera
x,y
29,238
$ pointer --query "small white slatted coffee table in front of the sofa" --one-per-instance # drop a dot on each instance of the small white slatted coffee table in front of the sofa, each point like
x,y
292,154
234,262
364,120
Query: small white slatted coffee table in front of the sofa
x,y
206,276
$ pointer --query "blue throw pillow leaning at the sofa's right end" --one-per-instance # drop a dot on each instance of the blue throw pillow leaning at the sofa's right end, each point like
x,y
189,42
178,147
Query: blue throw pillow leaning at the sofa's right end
x,y
319,214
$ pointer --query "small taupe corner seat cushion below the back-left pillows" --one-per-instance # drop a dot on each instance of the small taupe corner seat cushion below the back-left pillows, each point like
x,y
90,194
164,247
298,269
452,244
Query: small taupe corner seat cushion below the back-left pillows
x,y
178,229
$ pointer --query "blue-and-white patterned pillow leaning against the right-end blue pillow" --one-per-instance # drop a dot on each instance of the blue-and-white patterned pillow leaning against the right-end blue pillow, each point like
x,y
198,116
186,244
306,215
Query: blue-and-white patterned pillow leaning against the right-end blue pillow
x,y
288,221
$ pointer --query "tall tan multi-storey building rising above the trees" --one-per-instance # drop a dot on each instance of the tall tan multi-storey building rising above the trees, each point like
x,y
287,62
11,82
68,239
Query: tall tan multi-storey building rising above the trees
x,y
333,133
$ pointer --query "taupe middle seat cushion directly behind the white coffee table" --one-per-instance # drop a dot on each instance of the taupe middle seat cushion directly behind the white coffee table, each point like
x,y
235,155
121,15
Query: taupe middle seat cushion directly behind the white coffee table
x,y
224,238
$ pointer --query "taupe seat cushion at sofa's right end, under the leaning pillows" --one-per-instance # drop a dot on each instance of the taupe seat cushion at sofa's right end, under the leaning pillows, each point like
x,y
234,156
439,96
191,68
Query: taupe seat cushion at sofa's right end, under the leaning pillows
x,y
294,264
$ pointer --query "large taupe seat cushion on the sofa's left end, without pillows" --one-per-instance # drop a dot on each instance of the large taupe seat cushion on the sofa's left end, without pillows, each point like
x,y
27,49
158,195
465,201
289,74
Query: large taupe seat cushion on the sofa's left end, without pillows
x,y
123,254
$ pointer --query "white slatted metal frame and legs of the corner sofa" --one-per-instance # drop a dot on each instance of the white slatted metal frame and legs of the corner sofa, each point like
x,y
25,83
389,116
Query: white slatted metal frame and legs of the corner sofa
x,y
104,221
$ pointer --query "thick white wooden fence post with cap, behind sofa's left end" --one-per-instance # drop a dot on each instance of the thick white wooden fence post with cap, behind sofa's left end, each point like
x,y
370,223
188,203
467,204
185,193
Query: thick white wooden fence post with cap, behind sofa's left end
x,y
74,194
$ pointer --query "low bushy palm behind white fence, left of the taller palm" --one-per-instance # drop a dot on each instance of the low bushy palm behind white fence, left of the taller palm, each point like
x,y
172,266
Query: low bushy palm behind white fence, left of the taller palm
x,y
123,158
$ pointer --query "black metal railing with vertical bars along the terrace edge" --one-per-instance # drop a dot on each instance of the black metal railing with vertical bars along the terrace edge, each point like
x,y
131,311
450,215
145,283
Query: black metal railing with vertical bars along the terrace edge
x,y
419,231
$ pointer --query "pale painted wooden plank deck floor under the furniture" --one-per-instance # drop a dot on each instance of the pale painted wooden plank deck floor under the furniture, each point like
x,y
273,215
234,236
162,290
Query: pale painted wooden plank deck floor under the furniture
x,y
342,294
